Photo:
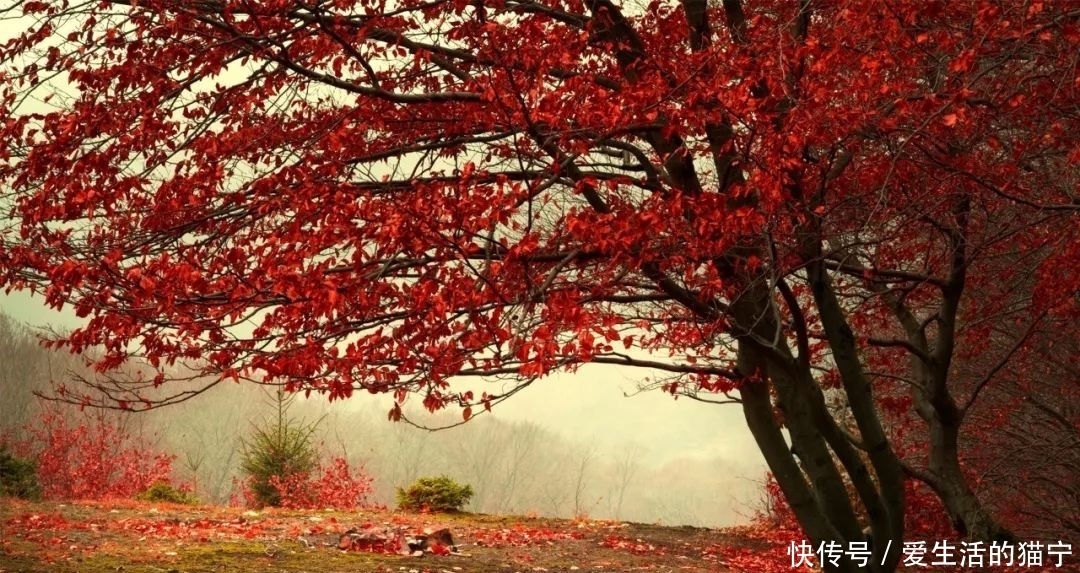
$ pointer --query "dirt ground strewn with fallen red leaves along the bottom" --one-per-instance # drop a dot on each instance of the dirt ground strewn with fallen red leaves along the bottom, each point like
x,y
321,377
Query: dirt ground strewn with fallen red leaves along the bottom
x,y
129,537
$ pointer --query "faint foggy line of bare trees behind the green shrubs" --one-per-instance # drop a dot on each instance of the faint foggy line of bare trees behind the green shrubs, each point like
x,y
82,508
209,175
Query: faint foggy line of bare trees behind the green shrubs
x,y
514,467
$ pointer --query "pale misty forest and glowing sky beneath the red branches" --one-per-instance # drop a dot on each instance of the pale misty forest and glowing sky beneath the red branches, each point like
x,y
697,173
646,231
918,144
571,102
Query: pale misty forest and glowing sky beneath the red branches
x,y
565,451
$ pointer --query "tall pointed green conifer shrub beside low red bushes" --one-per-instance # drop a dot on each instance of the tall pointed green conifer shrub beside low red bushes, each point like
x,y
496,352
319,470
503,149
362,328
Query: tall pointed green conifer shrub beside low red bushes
x,y
277,455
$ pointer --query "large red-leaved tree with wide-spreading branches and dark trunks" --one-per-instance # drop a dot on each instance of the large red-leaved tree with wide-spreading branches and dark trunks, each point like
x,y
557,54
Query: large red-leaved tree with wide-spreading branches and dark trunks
x,y
852,213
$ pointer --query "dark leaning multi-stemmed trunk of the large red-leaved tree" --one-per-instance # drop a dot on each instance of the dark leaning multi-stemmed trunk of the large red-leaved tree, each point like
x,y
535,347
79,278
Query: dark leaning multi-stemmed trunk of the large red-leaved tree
x,y
812,472
